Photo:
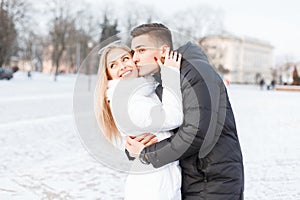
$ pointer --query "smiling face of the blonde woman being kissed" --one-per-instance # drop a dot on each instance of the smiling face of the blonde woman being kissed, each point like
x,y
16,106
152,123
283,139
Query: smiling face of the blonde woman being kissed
x,y
120,65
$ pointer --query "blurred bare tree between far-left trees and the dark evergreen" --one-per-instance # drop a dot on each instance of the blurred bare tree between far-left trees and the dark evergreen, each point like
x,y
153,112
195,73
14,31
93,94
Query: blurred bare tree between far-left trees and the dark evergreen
x,y
70,33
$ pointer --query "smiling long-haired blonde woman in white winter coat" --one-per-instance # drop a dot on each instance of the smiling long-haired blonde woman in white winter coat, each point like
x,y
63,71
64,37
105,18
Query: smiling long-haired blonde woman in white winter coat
x,y
119,83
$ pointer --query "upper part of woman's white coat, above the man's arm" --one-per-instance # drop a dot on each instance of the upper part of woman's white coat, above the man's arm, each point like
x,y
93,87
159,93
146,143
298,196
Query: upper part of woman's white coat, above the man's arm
x,y
137,109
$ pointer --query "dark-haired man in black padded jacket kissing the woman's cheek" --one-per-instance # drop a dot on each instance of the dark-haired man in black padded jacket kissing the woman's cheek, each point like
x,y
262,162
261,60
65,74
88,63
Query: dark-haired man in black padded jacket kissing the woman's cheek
x,y
206,144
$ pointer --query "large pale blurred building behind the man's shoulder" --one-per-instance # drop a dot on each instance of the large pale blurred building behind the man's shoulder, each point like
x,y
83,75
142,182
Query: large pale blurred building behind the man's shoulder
x,y
239,60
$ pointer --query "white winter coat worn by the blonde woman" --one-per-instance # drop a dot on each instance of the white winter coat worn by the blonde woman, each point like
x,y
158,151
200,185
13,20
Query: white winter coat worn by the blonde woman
x,y
137,109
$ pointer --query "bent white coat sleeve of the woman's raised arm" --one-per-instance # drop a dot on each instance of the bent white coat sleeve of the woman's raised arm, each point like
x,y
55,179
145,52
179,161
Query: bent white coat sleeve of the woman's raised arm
x,y
152,115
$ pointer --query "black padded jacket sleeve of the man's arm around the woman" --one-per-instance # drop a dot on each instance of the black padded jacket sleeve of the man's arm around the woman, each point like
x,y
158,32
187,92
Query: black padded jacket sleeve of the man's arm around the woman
x,y
190,135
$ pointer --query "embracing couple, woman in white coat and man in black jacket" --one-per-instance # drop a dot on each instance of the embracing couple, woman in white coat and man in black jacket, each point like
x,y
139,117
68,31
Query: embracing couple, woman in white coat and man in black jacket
x,y
178,119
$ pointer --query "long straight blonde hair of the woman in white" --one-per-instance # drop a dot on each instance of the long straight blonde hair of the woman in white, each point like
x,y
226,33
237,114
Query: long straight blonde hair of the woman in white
x,y
103,112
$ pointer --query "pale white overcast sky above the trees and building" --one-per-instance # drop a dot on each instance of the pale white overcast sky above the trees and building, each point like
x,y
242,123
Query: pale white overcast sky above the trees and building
x,y
276,22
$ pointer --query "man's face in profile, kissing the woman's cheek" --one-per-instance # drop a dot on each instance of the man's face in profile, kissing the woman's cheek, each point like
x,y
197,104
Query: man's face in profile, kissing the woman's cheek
x,y
144,52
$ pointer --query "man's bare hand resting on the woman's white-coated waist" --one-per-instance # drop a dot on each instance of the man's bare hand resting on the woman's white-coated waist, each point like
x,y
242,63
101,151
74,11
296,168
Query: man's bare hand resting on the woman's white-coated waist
x,y
135,145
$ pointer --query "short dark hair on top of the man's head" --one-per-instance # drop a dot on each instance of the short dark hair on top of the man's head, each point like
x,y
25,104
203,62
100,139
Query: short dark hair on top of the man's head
x,y
158,32
